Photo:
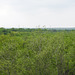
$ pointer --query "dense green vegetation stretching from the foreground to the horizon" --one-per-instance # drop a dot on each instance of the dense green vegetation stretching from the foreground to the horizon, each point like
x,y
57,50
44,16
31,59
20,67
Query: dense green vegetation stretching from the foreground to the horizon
x,y
37,52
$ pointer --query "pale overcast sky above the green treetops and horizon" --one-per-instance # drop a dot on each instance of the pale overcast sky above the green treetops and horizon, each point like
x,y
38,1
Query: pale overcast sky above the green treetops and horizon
x,y
37,13
